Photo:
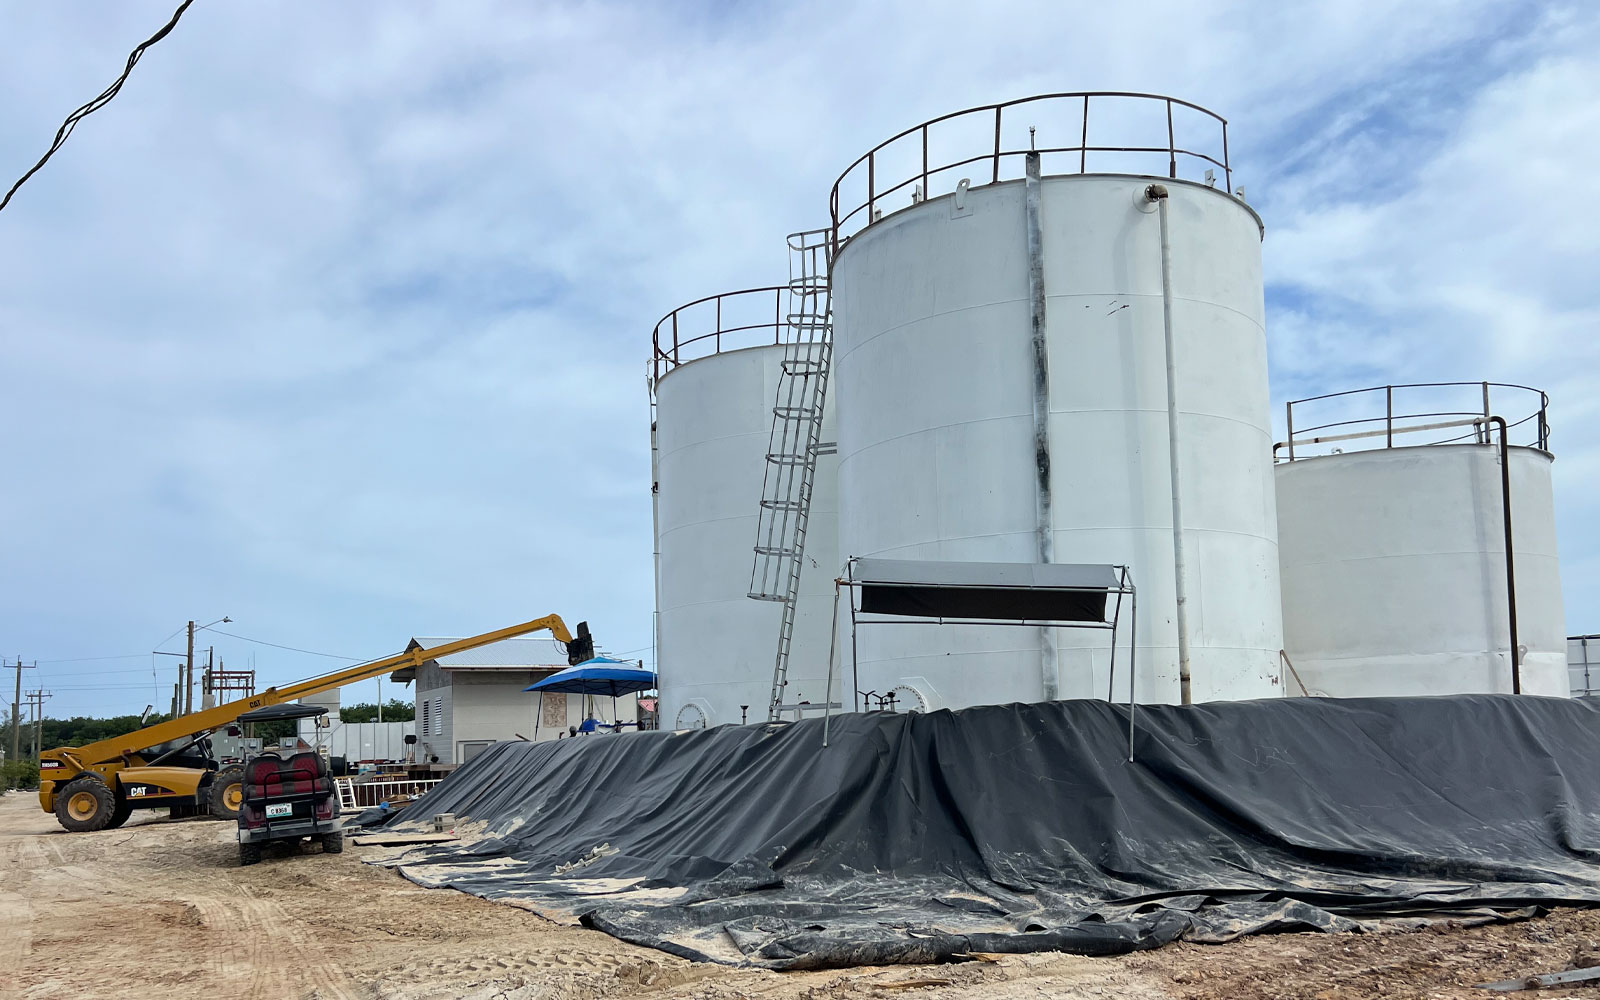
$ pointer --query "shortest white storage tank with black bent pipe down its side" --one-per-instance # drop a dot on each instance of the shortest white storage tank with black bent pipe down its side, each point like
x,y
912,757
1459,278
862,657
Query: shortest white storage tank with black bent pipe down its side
x,y
1393,545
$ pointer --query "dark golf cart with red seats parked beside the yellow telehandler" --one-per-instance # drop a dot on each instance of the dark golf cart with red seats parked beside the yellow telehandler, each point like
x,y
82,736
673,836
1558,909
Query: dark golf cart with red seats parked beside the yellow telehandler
x,y
287,796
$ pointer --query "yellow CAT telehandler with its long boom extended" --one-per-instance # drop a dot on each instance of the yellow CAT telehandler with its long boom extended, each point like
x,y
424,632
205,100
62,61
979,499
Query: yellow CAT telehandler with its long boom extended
x,y
98,786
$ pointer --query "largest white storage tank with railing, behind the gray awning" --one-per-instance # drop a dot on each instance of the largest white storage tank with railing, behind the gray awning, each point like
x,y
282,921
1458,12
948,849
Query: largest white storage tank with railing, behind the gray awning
x,y
935,385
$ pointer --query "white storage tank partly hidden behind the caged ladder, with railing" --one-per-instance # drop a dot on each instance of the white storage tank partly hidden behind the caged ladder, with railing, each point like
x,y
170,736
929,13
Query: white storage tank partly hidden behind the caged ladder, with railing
x,y
716,374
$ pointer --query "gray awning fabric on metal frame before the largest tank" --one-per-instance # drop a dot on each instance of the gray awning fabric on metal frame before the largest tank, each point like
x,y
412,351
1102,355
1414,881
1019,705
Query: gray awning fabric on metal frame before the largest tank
x,y
986,591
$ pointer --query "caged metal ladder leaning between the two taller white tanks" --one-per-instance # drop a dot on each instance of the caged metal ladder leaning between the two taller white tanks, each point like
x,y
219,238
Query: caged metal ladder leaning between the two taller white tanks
x,y
794,446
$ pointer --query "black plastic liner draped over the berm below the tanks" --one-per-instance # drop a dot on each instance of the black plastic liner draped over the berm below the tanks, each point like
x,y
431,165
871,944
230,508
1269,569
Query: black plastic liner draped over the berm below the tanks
x,y
1025,828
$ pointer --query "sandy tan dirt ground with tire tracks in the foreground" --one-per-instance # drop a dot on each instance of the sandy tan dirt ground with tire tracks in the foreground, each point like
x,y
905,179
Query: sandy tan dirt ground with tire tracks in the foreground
x,y
162,910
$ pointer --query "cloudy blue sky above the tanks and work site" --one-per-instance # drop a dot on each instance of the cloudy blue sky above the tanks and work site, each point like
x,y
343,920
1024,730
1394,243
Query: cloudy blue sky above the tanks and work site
x,y
337,321
